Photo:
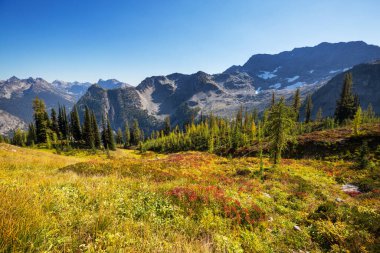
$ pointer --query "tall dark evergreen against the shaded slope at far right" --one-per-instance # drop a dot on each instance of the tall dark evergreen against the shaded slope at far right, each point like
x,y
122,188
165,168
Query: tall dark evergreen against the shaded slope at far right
x,y
348,103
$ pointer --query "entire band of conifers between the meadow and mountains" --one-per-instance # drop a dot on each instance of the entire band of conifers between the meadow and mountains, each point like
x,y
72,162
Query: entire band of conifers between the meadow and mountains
x,y
277,125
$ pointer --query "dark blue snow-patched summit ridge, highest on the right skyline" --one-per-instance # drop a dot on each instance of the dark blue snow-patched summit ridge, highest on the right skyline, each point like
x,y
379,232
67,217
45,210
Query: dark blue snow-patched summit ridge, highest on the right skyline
x,y
307,65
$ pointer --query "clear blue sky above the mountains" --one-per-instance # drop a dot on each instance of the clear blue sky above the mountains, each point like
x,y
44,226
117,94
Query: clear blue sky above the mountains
x,y
130,40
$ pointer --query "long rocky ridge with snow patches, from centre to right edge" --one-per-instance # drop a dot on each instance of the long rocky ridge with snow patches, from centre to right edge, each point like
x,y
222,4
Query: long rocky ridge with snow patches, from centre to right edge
x,y
251,85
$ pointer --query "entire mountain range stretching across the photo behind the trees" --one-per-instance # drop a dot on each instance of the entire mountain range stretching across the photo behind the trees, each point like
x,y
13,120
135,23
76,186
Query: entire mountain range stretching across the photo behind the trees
x,y
179,95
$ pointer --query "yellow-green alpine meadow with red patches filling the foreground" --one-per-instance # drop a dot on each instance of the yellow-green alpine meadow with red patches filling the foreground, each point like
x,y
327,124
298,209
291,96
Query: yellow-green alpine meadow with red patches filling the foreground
x,y
185,202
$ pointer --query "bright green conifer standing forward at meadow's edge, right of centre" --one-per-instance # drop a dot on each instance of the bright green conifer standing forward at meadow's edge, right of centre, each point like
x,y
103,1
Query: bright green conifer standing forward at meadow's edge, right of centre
x,y
280,125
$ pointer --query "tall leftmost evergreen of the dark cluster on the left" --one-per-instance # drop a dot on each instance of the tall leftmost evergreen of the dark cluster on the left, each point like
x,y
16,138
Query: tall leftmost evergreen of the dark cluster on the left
x,y
40,119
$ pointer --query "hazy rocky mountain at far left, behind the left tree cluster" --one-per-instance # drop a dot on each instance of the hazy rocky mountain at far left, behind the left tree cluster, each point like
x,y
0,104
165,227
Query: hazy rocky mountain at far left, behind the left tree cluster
x,y
16,96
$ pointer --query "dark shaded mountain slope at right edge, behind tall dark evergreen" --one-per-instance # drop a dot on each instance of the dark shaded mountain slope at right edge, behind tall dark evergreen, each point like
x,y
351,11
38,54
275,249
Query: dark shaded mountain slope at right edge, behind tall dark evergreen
x,y
366,83
